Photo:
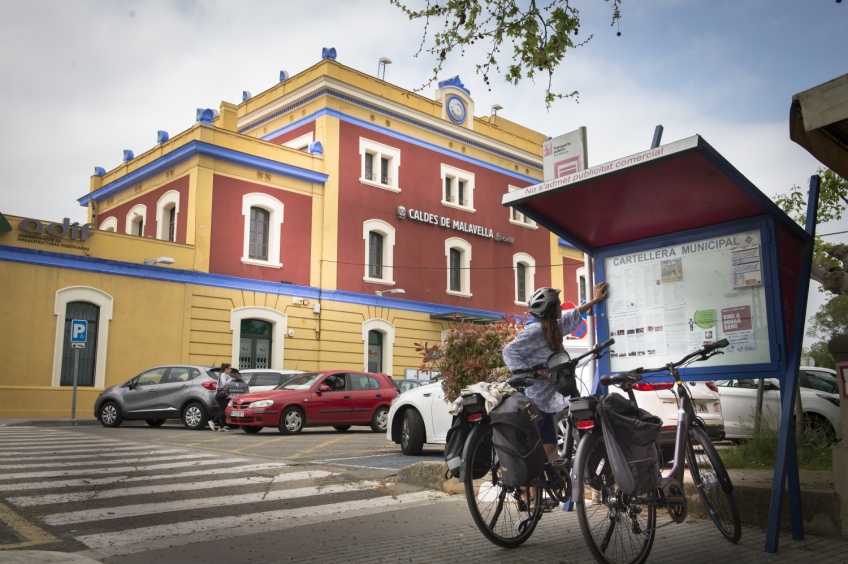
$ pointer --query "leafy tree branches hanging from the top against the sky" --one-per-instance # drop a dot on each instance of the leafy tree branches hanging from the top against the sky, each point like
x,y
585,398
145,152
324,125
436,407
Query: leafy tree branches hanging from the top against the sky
x,y
539,34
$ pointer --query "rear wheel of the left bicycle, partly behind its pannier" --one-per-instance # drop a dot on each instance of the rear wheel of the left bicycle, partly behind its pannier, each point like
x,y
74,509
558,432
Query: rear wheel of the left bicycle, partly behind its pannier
x,y
502,513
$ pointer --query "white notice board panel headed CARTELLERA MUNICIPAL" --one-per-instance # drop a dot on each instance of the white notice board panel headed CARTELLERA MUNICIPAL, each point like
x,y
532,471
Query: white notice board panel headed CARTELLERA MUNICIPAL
x,y
670,298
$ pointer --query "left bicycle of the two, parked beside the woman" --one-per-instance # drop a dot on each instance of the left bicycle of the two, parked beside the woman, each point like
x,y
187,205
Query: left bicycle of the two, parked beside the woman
x,y
506,515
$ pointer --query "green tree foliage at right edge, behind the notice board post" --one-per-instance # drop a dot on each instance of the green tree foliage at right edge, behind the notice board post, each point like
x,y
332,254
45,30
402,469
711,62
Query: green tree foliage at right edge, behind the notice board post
x,y
830,261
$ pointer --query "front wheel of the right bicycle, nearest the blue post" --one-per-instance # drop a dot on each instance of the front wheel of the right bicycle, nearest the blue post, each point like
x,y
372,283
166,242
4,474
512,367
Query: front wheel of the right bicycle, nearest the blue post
x,y
713,483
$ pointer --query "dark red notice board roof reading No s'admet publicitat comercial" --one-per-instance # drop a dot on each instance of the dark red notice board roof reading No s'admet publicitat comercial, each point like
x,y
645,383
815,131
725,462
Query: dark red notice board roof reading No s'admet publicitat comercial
x,y
676,187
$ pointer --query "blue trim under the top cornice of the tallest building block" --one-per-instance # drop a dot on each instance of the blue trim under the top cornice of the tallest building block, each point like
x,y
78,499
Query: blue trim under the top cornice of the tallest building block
x,y
393,115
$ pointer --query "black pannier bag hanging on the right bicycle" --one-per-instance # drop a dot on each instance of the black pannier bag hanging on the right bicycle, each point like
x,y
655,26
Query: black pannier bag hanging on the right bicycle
x,y
631,435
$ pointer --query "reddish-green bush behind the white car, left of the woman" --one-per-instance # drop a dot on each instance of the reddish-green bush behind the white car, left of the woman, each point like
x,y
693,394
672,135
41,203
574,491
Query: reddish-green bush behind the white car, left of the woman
x,y
471,353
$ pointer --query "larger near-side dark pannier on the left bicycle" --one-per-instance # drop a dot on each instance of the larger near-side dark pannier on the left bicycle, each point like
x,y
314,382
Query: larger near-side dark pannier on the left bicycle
x,y
517,441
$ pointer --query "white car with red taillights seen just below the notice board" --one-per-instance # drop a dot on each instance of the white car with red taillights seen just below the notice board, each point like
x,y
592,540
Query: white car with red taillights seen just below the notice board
x,y
660,399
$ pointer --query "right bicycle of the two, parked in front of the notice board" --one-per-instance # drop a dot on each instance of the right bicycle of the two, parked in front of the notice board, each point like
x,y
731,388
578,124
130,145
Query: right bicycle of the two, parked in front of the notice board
x,y
620,528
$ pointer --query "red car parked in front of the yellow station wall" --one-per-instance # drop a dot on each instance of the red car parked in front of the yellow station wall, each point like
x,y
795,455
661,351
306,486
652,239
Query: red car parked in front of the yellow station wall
x,y
339,398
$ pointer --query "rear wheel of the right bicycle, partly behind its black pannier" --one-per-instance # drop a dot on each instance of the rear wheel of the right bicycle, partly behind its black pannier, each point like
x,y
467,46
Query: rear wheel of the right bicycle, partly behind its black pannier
x,y
619,529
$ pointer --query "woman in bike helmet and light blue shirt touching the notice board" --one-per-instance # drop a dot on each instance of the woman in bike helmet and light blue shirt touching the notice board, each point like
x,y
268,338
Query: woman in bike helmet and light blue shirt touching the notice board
x,y
538,341
